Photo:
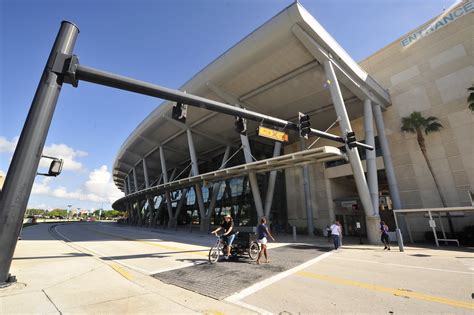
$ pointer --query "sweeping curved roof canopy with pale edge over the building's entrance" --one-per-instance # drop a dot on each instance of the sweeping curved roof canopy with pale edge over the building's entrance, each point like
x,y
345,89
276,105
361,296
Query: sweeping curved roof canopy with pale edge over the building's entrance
x,y
276,70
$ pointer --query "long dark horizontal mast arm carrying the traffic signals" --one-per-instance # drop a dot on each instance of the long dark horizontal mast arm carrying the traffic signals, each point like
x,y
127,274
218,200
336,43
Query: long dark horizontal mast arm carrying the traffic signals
x,y
74,72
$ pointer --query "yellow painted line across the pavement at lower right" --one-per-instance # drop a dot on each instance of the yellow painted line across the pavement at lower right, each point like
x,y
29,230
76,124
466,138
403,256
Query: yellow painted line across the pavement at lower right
x,y
397,292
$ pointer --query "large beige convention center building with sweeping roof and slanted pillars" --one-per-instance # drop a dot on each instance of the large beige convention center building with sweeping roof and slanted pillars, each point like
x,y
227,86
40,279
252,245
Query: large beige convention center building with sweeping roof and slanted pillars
x,y
408,100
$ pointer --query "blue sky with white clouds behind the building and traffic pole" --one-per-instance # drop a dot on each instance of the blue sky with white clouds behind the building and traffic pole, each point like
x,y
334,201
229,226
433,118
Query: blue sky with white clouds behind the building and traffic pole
x,y
162,42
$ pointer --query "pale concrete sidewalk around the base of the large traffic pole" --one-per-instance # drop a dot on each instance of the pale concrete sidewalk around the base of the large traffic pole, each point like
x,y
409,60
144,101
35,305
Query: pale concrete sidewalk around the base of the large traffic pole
x,y
53,278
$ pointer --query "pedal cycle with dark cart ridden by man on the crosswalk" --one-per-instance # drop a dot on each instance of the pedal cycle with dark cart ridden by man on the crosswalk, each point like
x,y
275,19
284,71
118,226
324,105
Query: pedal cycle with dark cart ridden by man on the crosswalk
x,y
239,248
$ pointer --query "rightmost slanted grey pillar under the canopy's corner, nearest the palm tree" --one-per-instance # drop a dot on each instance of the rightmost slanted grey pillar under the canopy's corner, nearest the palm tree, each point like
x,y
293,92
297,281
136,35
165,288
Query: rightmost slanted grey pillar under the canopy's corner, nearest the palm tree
x,y
387,158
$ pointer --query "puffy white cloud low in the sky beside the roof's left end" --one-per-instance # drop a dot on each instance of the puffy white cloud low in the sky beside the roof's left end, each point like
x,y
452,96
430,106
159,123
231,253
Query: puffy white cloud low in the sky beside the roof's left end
x,y
98,188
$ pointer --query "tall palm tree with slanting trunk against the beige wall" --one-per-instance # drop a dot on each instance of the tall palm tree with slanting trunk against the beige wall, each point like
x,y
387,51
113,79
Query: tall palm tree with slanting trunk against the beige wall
x,y
416,123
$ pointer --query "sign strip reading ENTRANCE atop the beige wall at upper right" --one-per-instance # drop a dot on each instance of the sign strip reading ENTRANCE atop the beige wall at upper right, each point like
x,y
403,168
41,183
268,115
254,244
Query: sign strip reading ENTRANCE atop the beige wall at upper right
x,y
439,23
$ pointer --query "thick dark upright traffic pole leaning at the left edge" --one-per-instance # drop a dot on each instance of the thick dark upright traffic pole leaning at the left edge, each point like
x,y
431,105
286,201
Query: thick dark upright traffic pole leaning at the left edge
x,y
25,161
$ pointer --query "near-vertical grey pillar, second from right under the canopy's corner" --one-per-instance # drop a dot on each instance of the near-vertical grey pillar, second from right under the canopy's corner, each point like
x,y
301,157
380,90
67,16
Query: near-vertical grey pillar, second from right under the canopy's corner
x,y
370,157
